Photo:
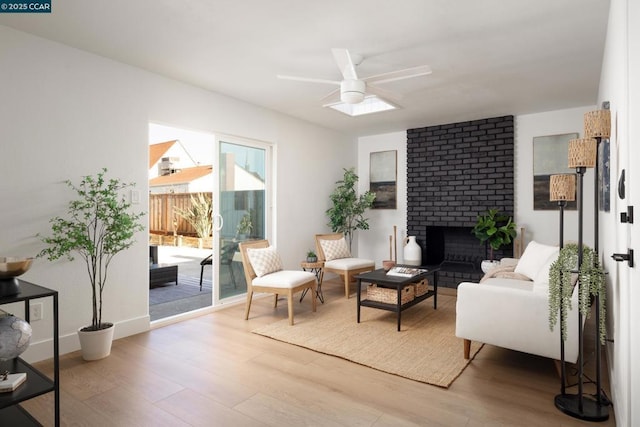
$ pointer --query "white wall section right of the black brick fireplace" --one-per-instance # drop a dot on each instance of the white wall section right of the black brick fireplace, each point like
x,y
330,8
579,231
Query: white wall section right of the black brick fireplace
x,y
542,225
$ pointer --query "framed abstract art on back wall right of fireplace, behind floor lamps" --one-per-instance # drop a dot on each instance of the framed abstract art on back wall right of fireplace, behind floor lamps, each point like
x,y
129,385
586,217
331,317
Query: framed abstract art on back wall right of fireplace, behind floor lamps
x,y
550,157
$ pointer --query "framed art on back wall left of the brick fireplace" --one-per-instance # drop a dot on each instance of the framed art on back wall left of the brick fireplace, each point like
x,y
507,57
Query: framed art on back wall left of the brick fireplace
x,y
383,178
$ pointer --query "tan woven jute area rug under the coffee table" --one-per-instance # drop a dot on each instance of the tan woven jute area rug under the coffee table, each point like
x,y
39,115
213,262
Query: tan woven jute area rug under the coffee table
x,y
426,349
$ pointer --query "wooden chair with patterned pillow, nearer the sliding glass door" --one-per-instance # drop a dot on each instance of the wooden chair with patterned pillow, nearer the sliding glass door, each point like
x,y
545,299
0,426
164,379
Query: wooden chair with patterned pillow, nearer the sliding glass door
x,y
264,273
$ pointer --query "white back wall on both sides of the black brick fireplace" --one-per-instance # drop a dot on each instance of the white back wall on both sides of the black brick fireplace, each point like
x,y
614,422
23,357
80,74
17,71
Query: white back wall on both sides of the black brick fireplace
x,y
374,244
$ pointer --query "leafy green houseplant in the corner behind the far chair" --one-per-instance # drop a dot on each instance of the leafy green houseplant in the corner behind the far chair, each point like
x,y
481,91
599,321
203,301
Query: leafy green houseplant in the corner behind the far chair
x,y
347,213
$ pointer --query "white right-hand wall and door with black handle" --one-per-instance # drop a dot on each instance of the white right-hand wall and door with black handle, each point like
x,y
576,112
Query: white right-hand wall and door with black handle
x,y
619,86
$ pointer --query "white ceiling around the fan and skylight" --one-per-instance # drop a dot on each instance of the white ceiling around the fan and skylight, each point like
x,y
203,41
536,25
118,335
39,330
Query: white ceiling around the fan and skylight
x,y
489,57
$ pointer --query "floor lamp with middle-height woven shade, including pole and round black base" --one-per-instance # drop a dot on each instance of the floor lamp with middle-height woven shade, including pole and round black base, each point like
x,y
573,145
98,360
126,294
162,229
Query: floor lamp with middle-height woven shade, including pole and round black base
x,y
582,155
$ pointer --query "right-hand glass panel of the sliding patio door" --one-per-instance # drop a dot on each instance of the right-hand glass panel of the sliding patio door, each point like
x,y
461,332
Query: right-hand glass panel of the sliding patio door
x,y
243,208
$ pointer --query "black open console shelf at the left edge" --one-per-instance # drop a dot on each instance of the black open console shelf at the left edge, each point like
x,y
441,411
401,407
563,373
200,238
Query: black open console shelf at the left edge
x,y
36,383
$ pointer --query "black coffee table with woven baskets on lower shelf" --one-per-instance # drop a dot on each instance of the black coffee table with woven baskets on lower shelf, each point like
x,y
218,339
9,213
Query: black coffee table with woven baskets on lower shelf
x,y
380,278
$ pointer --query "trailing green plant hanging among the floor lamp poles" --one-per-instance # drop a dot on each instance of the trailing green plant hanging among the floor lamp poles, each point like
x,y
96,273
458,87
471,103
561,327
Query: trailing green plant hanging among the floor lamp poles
x,y
561,284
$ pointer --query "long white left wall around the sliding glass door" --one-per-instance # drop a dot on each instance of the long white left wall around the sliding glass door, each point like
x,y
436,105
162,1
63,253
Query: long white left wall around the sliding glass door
x,y
68,113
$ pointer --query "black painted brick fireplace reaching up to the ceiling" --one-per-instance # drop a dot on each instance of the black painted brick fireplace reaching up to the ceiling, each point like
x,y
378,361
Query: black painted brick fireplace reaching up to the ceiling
x,y
455,172
